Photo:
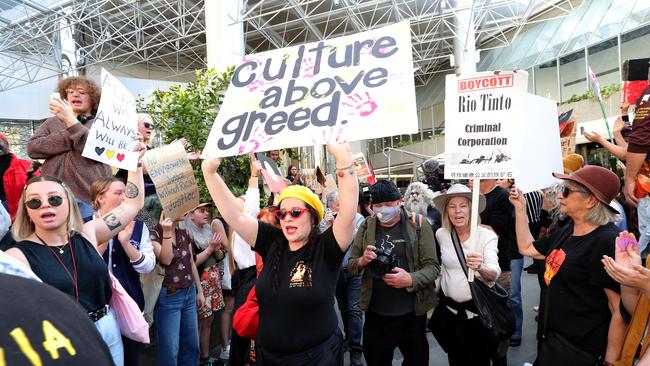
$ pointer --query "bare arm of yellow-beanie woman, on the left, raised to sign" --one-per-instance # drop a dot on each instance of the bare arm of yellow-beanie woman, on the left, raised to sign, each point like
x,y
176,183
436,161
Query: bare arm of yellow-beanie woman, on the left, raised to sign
x,y
228,205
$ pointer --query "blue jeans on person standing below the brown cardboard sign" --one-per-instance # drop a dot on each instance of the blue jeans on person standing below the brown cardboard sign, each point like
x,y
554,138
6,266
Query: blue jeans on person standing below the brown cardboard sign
x,y
177,327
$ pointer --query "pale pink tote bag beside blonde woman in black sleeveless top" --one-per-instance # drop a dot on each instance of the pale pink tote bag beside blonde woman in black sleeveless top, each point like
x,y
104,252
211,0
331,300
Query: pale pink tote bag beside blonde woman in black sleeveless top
x,y
128,314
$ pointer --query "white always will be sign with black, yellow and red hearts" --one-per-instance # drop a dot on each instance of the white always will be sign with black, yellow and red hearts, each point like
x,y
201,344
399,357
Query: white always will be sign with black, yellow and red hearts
x,y
111,138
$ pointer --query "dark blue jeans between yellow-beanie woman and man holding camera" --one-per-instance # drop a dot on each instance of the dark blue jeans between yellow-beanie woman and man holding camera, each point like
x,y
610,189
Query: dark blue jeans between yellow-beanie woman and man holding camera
x,y
348,293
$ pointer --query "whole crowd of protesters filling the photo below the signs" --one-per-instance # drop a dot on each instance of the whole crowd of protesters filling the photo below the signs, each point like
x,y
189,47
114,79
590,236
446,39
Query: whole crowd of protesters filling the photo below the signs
x,y
265,279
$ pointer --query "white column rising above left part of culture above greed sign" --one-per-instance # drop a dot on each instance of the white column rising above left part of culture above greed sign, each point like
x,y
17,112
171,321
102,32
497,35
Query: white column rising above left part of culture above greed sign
x,y
224,35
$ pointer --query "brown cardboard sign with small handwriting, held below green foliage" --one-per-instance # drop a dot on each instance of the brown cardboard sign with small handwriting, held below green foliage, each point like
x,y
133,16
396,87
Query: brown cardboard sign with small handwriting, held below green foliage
x,y
173,177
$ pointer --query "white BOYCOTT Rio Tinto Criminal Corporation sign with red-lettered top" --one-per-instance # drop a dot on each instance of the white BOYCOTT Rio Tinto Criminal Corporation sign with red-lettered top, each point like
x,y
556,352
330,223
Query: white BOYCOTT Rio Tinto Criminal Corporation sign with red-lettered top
x,y
484,113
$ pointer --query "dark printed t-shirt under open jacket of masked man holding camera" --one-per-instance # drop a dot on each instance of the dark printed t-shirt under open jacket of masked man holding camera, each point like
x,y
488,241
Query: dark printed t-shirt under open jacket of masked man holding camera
x,y
387,300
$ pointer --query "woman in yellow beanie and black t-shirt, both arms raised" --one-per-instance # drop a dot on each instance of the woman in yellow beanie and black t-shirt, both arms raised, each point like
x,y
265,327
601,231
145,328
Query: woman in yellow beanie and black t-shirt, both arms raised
x,y
295,290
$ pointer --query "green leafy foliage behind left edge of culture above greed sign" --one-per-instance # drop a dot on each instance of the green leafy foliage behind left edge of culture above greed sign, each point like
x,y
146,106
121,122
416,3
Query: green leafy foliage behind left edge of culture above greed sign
x,y
189,112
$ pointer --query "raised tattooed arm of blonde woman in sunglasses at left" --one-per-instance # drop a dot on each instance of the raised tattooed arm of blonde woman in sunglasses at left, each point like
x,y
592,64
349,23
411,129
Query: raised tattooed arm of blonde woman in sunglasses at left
x,y
102,229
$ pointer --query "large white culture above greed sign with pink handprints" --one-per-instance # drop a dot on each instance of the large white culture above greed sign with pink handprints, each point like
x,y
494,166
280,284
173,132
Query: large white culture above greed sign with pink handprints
x,y
355,87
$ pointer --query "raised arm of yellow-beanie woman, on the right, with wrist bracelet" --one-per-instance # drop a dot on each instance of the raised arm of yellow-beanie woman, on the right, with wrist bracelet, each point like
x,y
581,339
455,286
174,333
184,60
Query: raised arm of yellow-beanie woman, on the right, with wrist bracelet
x,y
343,226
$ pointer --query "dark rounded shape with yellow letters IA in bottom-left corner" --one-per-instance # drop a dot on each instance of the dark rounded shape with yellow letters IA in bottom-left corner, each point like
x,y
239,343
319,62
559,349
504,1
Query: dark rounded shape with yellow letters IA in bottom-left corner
x,y
39,321
